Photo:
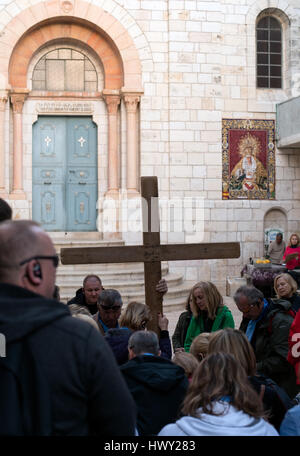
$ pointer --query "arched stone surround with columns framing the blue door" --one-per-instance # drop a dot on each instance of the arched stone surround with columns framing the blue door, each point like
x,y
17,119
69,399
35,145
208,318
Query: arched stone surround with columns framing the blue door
x,y
118,69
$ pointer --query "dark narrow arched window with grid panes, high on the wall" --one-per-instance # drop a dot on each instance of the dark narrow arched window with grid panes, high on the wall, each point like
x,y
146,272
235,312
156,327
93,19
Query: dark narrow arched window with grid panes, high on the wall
x,y
269,53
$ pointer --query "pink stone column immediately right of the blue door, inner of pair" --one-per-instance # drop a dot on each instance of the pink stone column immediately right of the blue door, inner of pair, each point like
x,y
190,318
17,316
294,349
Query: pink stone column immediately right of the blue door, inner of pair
x,y
112,102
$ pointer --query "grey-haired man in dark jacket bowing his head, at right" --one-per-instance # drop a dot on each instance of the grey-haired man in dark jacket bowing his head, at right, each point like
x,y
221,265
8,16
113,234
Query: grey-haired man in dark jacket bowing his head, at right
x,y
267,324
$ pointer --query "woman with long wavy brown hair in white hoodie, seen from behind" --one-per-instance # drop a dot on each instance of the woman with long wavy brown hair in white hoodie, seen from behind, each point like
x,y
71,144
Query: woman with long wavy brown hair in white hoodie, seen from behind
x,y
220,402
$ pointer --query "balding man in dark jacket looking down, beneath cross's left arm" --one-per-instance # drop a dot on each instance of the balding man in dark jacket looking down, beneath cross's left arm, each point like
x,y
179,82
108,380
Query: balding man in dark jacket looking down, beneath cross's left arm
x,y
88,294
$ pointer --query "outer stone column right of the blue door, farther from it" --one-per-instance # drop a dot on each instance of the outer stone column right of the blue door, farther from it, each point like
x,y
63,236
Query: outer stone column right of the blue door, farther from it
x,y
131,102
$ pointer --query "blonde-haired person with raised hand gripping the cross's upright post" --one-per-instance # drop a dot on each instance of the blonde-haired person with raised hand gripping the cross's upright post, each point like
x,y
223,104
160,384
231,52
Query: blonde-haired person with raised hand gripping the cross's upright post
x,y
135,318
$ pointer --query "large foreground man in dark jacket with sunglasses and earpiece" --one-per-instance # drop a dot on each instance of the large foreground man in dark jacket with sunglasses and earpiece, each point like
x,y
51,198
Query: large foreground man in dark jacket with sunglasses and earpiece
x,y
74,361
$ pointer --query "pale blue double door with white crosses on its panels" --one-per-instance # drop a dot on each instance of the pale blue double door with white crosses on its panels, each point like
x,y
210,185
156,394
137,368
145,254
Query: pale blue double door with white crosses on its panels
x,y
65,173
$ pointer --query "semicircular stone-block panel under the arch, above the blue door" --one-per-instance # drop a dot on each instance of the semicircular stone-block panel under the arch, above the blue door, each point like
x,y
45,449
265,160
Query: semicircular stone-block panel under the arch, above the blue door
x,y
64,70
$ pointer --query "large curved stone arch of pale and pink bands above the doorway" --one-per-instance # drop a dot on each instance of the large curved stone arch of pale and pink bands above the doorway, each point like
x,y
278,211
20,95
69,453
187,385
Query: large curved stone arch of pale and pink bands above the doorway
x,y
90,17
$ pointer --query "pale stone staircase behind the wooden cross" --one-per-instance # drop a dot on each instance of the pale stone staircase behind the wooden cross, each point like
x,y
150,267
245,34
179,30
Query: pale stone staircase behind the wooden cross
x,y
127,278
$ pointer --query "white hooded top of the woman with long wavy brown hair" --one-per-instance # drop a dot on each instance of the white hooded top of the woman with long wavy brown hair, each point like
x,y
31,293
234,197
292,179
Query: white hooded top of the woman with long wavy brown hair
x,y
231,422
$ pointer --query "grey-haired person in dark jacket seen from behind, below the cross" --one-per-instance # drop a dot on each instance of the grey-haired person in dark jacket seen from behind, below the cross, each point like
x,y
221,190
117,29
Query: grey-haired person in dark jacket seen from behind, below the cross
x,y
157,385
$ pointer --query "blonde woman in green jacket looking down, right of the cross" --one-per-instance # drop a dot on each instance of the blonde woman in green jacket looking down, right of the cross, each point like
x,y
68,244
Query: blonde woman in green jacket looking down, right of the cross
x,y
209,312
